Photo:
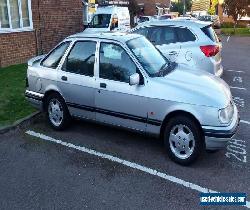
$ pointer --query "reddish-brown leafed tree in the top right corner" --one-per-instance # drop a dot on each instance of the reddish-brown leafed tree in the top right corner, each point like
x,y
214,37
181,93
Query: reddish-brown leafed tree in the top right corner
x,y
236,9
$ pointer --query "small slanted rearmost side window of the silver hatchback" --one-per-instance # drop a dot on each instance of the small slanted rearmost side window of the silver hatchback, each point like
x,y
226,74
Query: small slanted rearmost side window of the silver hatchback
x,y
54,58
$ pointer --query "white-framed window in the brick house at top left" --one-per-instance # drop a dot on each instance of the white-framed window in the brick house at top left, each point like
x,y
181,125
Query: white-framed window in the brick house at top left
x,y
15,15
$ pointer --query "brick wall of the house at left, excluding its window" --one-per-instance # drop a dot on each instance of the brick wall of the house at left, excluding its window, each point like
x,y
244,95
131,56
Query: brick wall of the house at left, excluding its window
x,y
53,20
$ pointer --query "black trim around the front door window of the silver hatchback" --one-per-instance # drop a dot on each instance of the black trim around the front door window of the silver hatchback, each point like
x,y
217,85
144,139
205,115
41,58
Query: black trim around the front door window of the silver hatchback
x,y
142,79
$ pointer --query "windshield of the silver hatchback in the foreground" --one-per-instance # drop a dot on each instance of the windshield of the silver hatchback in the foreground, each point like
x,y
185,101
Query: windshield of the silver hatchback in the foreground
x,y
149,57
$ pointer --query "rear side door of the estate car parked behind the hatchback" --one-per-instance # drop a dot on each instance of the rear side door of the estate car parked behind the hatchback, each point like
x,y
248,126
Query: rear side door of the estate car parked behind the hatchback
x,y
166,40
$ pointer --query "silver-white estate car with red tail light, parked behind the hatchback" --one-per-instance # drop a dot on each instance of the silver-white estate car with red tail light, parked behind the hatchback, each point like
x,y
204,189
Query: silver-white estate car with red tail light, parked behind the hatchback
x,y
186,41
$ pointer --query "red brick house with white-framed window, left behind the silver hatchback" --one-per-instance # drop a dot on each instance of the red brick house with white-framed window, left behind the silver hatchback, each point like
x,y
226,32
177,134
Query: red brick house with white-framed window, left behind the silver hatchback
x,y
32,27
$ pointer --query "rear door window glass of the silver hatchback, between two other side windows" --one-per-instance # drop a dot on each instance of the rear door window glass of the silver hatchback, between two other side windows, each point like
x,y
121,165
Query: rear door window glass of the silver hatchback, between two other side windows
x,y
81,59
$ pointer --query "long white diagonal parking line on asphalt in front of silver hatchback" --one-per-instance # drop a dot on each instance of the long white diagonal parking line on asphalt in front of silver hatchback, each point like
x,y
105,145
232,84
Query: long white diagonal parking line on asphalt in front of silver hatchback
x,y
128,163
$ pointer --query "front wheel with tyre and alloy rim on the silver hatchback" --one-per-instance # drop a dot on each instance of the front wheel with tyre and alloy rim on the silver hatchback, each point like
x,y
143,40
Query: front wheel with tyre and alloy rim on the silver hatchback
x,y
183,140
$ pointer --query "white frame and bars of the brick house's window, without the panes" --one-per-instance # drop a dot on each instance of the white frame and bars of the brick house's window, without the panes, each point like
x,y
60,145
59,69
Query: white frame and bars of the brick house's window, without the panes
x,y
21,29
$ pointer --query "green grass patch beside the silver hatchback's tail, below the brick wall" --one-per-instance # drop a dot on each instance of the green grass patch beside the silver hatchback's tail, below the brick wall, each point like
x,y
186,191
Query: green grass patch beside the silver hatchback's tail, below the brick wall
x,y
13,105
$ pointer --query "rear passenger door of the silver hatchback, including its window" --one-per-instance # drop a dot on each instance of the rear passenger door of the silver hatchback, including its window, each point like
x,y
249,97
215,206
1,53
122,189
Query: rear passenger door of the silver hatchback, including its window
x,y
76,79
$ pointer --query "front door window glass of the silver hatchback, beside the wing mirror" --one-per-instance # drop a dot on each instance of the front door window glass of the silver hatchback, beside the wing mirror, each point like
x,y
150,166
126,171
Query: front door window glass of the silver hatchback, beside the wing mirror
x,y
115,63
